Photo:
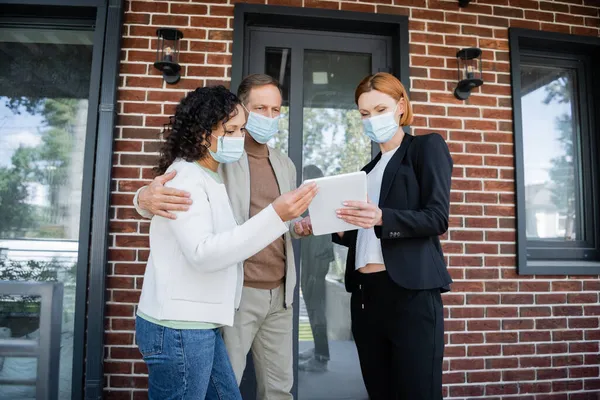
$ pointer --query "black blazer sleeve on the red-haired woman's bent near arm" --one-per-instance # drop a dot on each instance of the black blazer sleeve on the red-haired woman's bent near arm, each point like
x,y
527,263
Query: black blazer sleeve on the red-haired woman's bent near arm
x,y
434,172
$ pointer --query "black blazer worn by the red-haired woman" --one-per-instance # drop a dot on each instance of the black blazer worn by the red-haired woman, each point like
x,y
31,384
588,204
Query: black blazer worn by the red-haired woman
x,y
415,202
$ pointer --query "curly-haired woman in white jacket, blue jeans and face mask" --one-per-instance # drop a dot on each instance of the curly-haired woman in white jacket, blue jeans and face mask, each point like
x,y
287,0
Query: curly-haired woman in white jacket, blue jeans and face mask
x,y
194,274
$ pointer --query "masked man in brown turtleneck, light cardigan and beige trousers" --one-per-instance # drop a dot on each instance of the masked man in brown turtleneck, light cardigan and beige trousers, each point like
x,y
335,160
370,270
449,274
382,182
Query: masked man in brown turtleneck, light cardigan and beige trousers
x,y
264,322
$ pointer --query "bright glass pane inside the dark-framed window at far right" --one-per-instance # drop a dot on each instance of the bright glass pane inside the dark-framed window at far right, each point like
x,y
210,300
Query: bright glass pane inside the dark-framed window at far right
x,y
551,158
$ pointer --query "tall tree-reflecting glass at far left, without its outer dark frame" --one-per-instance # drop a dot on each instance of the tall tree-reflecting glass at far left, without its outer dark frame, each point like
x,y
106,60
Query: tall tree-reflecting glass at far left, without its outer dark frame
x,y
46,93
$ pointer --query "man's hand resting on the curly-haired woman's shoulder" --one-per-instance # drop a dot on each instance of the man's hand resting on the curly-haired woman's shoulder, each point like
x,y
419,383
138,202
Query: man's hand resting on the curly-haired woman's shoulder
x,y
159,200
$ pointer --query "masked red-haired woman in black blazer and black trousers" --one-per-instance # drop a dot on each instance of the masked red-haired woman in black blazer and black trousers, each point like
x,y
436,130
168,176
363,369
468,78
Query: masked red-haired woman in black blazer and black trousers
x,y
395,267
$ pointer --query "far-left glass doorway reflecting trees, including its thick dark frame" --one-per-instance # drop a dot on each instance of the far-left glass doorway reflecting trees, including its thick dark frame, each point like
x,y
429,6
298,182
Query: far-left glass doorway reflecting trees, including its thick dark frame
x,y
57,94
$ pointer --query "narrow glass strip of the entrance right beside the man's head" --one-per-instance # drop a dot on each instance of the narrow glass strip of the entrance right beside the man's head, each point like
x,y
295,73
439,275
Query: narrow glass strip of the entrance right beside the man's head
x,y
278,63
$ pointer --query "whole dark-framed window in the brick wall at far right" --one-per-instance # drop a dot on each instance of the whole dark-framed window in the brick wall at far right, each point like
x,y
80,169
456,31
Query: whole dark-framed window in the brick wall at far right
x,y
555,102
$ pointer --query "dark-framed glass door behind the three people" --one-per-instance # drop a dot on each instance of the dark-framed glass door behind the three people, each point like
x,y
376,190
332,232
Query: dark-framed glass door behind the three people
x,y
322,133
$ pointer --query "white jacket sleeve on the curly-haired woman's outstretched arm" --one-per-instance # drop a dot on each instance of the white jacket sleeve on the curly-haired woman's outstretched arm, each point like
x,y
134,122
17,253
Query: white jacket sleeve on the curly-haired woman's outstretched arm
x,y
203,248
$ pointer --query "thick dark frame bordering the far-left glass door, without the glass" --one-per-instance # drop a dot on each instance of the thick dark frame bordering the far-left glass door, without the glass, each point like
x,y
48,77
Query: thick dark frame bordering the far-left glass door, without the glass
x,y
88,341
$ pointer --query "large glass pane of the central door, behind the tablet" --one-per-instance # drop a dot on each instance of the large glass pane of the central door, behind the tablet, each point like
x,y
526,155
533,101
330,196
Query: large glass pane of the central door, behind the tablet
x,y
333,143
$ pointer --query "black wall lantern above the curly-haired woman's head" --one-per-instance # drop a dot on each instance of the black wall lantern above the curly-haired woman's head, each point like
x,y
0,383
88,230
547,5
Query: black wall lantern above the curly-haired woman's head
x,y
167,54
